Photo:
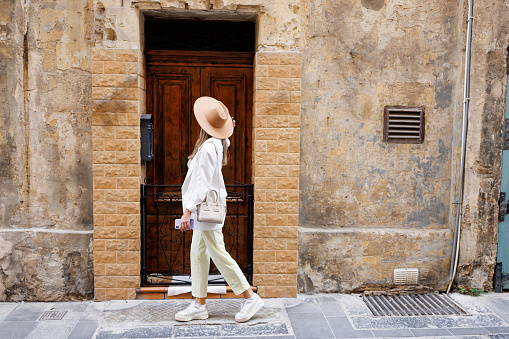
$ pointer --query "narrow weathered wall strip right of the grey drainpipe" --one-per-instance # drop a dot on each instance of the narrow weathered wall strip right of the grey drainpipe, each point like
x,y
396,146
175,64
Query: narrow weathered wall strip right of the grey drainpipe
x,y
483,164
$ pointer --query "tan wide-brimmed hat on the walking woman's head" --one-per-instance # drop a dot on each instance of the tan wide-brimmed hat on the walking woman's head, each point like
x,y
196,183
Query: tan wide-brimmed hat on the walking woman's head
x,y
213,117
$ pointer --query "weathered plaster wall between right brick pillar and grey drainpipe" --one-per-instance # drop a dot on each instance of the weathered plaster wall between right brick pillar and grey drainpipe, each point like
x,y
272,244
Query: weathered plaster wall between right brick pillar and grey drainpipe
x,y
381,206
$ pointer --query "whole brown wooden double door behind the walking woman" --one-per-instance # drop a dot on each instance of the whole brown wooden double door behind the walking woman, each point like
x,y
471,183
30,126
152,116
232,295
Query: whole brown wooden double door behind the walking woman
x,y
174,81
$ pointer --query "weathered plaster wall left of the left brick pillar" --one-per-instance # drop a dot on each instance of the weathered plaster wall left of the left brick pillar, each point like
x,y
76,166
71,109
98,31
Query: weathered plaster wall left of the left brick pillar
x,y
46,181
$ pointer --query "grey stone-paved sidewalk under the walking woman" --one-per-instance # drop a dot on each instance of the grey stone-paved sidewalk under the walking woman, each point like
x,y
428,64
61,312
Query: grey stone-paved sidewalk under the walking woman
x,y
307,317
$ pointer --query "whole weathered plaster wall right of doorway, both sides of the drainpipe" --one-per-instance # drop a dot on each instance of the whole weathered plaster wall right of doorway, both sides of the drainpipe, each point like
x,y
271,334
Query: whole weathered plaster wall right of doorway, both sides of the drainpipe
x,y
378,206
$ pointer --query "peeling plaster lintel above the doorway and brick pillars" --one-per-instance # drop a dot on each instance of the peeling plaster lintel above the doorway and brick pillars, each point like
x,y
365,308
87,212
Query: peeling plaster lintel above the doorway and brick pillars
x,y
278,21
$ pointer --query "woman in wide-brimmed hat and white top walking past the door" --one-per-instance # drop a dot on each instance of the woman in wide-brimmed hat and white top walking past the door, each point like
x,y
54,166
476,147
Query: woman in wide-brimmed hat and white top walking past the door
x,y
203,176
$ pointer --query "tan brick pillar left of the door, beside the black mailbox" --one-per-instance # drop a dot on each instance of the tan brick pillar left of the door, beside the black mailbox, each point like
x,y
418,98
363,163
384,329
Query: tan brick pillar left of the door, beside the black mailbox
x,y
118,99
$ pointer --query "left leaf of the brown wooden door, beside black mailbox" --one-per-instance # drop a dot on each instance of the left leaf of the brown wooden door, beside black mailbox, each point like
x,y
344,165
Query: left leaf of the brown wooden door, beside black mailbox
x,y
170,94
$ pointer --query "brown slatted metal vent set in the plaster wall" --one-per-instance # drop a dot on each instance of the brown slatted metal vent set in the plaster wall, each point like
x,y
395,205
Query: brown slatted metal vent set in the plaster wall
x,y
404,125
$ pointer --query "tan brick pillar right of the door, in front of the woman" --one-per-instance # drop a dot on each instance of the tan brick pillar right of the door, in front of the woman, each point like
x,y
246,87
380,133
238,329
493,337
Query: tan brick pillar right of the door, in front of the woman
x,y
276,172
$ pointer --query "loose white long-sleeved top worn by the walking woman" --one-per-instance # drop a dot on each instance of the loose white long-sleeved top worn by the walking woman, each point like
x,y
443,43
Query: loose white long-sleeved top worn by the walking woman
x,y
203,176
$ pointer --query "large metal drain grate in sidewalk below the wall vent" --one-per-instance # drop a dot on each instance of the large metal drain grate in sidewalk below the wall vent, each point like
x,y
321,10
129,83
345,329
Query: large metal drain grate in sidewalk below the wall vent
x,y
412,305
